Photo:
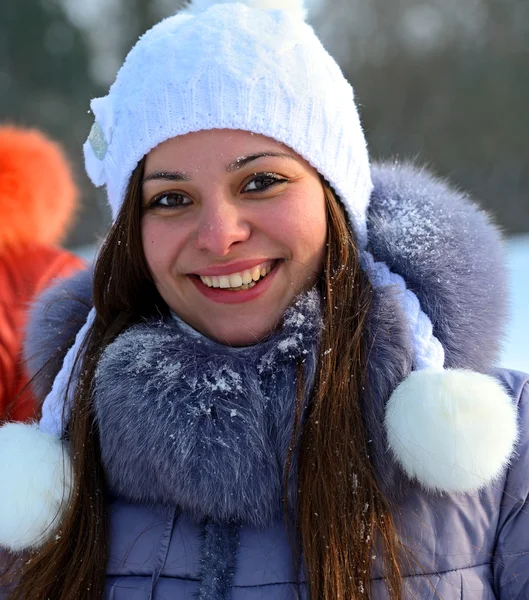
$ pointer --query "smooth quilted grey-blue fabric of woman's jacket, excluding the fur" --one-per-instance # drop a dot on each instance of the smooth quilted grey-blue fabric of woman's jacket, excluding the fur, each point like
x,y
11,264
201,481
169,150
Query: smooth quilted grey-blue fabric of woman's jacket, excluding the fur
x,y
473,547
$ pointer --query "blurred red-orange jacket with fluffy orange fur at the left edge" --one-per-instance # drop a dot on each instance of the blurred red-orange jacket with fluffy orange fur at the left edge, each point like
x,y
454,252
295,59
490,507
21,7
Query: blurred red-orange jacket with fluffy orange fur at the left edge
x,y
37,200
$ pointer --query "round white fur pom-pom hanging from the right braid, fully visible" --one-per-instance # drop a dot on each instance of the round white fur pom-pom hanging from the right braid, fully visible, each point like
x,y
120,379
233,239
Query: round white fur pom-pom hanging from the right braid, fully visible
x,y
453,431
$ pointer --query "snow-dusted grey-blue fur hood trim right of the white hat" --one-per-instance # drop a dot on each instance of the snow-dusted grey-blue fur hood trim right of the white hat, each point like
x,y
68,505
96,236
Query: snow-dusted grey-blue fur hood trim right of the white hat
x,y
449,254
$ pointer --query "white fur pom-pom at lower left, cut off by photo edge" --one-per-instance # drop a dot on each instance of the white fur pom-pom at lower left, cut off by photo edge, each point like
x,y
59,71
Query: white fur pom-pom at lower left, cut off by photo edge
x,y
35,472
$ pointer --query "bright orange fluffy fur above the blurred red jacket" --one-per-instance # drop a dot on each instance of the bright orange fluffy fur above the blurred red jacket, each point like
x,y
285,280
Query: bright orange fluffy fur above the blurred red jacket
x,y
38,196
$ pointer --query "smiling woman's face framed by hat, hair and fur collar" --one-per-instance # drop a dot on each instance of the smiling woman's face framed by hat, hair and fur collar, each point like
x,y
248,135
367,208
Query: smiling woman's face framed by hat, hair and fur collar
x,y
233,228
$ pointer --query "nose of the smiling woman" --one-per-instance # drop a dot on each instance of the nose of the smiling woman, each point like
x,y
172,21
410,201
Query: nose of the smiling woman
x,y
221,226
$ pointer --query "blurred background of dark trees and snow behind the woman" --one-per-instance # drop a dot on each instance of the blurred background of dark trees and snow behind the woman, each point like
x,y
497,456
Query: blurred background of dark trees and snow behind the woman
x,y
443,82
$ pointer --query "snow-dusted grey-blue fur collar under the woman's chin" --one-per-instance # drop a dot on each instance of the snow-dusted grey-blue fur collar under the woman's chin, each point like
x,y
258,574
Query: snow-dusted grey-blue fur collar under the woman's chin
x,y
187,421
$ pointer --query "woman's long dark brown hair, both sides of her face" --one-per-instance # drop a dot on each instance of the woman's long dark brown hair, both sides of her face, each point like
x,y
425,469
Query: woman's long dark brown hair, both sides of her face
x,y
340,511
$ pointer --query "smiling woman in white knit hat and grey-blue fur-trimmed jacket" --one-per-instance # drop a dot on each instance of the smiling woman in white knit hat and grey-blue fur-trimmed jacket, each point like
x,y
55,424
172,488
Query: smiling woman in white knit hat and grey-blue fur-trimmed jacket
x,y
258,405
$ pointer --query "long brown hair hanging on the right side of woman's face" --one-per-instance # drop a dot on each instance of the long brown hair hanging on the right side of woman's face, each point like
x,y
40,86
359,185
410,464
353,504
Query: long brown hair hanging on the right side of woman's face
x,y
342,518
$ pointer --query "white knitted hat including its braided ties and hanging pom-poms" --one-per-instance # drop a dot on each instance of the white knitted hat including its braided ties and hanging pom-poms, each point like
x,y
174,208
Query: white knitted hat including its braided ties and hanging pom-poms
x,y
257,66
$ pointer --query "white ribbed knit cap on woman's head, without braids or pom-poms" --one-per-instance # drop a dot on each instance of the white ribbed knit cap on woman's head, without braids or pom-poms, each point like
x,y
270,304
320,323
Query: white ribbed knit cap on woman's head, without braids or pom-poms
x,y
232,66
